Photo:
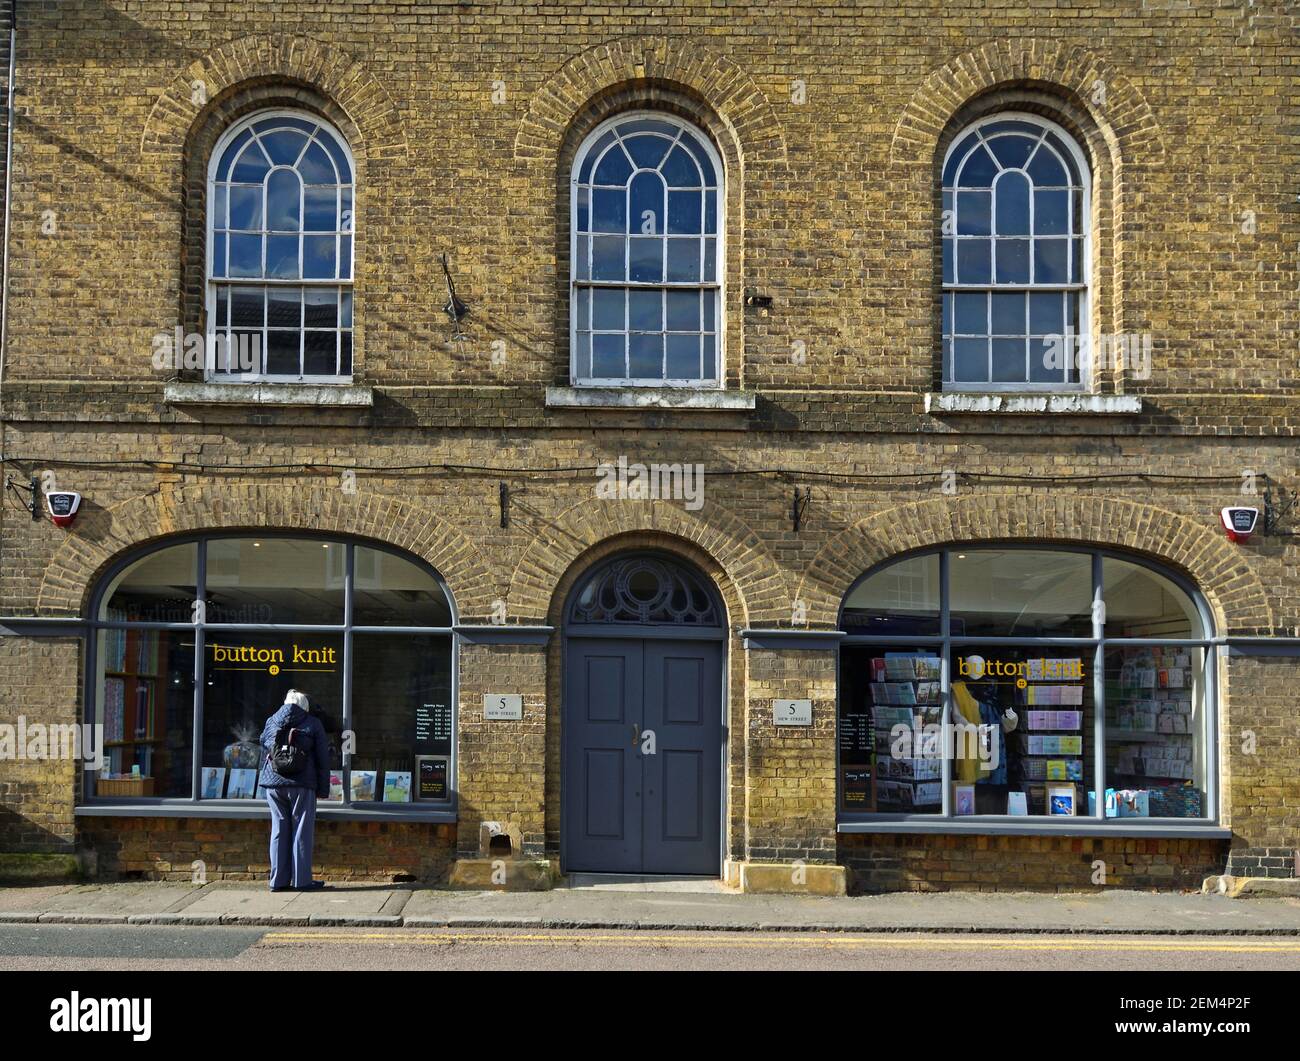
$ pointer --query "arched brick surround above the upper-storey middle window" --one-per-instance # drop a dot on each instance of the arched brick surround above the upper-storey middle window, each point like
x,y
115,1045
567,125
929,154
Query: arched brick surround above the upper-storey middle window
x,y
677,60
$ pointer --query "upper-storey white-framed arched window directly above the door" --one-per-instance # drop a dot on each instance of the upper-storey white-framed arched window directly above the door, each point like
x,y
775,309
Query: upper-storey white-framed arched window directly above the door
x,y
647,255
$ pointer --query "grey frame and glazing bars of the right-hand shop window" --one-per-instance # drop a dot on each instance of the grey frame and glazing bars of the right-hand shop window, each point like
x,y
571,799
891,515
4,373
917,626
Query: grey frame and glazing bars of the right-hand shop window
x,y
1091,648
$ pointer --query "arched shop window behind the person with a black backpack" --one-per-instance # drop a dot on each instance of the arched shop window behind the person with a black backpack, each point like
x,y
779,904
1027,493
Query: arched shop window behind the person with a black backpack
x,y
197,644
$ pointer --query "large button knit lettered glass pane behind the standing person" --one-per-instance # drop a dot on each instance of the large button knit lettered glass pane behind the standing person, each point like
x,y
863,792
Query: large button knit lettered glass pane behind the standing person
x,y
246,677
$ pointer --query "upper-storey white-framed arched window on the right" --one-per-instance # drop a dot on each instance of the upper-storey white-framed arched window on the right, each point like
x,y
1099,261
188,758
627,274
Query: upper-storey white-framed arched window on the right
x,y
1016,257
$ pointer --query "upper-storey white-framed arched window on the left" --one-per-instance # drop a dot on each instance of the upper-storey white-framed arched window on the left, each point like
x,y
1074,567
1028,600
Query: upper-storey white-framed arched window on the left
x,y
280,252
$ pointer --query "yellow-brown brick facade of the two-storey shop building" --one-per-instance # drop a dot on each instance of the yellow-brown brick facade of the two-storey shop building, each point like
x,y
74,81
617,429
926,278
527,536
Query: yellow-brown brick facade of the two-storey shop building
x,y
837,432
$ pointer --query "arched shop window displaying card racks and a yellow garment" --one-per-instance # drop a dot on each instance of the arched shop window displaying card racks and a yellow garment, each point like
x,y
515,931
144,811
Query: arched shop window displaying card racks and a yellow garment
x,y
1013,683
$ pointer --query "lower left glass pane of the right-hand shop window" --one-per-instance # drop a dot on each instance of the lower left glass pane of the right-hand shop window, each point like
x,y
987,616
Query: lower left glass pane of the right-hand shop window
x,y
891,756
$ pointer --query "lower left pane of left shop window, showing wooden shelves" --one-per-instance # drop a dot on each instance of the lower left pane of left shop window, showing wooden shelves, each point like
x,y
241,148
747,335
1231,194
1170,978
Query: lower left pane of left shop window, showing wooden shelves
x,y
145,700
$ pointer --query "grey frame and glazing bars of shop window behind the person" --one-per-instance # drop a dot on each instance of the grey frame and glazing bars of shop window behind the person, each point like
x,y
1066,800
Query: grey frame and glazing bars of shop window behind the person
x,y
92,804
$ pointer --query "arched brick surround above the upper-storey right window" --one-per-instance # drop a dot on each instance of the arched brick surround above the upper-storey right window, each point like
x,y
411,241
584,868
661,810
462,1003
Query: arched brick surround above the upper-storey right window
x,y
1115,103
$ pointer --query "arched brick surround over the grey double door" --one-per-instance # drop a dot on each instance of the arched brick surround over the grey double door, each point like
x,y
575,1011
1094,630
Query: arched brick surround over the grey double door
x,y
760,583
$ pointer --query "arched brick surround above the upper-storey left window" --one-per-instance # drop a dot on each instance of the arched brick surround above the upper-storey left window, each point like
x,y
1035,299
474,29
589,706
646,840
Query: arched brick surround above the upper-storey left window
x,y
270,58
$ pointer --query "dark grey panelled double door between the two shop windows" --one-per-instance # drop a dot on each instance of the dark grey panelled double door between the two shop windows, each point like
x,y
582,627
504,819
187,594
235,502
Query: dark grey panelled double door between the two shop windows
x,y
643,756
